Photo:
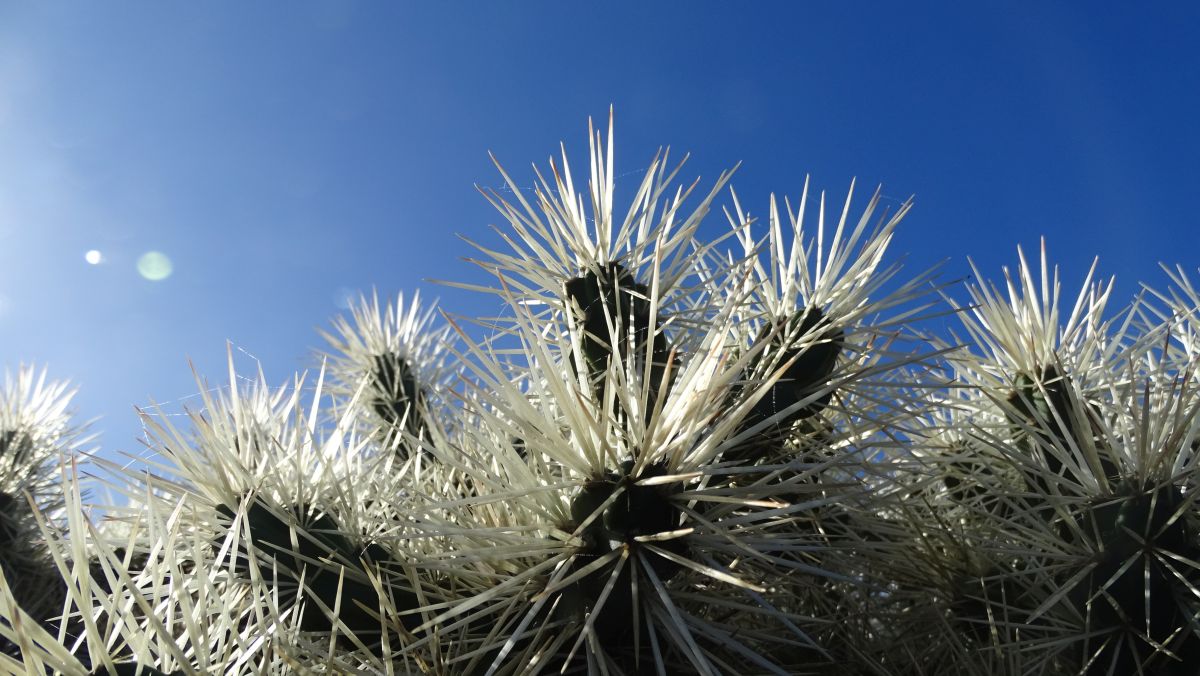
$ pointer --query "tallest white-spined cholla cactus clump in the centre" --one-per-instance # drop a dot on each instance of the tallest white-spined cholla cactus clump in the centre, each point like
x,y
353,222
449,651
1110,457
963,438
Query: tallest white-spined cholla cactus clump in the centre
x,y
658,408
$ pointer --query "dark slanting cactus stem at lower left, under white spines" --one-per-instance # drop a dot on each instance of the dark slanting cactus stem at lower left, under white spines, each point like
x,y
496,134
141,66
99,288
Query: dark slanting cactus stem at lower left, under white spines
x,y
319,537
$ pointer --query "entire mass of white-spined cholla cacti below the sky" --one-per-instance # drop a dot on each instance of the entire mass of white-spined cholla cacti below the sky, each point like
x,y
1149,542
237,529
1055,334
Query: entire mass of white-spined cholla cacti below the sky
x,y
676,457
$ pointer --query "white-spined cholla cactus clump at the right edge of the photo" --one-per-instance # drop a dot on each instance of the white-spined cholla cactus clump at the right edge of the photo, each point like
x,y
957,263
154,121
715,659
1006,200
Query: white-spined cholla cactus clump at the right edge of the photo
x,y
1061,489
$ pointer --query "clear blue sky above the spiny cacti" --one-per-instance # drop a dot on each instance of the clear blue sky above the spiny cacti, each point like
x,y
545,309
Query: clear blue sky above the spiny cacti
x,y
281,154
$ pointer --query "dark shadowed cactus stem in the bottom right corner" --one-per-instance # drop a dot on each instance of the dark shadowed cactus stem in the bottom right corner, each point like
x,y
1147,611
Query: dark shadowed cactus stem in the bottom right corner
x,y
1136,597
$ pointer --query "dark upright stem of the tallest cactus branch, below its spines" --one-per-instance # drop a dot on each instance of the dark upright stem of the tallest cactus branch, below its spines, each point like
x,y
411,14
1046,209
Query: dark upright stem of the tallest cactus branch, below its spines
x,y
613,297
